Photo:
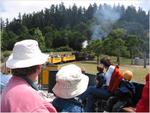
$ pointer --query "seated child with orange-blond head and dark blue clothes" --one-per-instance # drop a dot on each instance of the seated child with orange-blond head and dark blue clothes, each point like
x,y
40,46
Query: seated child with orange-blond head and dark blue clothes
x,y
122,97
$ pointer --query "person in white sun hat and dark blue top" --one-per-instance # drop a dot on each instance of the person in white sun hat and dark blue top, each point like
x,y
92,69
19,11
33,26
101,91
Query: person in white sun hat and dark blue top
x,y
70,84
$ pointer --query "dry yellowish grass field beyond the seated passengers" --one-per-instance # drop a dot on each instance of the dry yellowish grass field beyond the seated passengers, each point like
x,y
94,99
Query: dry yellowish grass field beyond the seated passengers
x,y
138,71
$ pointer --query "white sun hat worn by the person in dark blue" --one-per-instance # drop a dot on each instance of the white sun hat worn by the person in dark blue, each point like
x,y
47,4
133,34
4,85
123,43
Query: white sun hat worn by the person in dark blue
x,y
70,82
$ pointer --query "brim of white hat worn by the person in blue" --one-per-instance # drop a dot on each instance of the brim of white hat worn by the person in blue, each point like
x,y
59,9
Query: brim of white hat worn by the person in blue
x,y
76,90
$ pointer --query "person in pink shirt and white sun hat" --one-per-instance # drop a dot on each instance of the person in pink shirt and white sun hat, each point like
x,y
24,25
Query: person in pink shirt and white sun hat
x,y
20,94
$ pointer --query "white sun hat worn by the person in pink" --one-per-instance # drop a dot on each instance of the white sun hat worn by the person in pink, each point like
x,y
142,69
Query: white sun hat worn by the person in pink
x,y
26,53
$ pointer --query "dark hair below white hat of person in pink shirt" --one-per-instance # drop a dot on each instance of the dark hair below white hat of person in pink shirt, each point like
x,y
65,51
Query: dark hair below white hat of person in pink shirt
x,y
24,71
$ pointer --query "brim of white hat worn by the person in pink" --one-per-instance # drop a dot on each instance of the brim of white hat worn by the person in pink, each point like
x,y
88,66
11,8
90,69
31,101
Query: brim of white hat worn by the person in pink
x,y
13,63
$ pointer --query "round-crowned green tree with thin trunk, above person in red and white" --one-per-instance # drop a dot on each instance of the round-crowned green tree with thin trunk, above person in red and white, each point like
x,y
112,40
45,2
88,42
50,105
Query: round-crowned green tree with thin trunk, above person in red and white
x,y
114,44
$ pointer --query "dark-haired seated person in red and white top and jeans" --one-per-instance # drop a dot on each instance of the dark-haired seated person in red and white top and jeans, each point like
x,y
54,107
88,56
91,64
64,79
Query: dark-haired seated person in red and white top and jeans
x,y
113,78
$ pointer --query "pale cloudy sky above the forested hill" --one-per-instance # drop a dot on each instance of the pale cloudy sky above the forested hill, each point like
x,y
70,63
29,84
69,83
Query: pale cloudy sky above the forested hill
x,y
11,8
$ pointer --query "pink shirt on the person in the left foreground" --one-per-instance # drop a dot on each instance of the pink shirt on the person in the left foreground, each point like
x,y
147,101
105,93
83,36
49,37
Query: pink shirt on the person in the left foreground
x,y
19,96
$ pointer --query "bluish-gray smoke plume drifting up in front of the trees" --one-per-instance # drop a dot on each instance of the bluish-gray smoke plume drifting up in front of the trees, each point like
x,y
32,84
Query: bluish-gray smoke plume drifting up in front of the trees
x,y
105,17
